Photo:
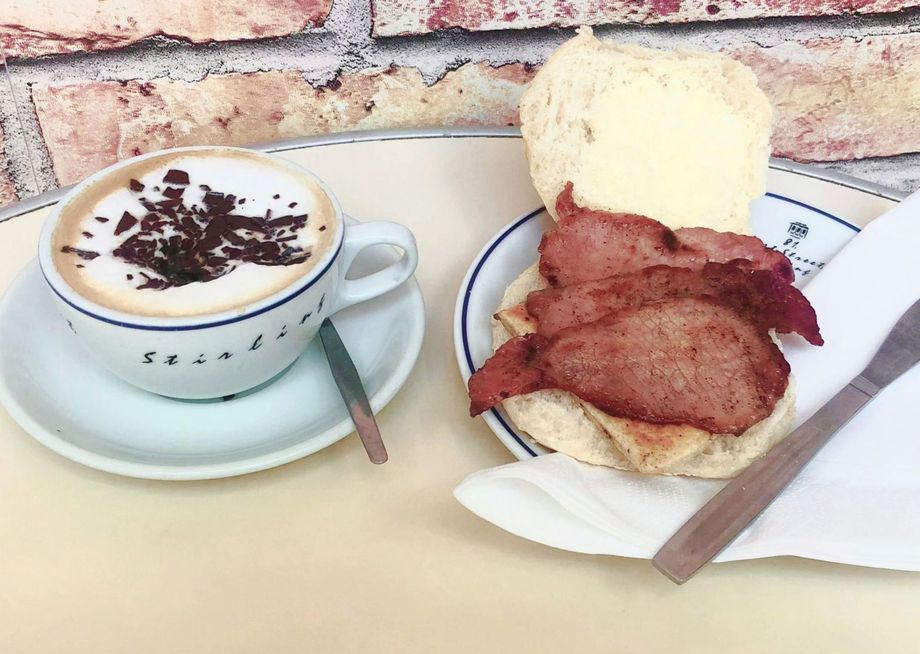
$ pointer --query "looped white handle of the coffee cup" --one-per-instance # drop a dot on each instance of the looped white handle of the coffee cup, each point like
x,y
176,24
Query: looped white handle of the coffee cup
x,y
361,236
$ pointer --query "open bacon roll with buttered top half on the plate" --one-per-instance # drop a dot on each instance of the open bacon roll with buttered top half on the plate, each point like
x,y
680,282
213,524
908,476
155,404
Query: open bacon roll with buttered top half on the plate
x,y
643,344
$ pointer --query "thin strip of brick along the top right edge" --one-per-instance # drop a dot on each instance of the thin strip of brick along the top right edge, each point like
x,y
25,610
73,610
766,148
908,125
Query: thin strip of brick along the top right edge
x,y
401,17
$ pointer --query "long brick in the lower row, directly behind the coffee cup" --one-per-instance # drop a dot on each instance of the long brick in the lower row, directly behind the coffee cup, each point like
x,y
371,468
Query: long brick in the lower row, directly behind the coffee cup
x,y
89,125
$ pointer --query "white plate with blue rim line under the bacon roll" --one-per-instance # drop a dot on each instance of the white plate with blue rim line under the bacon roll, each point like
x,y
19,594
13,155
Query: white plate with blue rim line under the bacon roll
x,y
808,236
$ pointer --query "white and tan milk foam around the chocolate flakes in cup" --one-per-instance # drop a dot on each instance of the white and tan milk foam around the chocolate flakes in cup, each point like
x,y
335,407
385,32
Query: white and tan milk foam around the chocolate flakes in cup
x,y
104,279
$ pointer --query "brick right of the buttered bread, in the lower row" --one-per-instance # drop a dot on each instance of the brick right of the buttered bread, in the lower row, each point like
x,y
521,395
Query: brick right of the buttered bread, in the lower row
x,y
841,98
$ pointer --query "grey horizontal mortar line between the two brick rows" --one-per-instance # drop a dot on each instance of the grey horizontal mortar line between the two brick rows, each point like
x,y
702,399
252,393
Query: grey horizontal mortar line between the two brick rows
x,y
353,48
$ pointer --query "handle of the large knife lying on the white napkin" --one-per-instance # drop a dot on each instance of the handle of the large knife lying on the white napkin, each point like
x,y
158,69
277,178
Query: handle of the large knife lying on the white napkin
x,y
745,497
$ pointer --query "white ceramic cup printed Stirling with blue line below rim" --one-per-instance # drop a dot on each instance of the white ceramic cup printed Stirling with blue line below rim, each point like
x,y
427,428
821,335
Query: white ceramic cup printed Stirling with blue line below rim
x,y
220,354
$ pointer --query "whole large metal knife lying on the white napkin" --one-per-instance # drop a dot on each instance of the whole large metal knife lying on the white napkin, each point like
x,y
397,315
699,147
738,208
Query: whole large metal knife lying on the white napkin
x,y
720,521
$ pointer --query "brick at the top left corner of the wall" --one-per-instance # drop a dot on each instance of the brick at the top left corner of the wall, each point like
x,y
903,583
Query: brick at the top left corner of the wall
x,y
30,28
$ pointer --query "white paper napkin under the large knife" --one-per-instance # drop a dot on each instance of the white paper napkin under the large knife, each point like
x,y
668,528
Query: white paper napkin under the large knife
x,y
857,502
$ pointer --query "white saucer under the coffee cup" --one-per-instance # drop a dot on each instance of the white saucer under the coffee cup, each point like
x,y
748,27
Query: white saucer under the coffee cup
x,y
56,393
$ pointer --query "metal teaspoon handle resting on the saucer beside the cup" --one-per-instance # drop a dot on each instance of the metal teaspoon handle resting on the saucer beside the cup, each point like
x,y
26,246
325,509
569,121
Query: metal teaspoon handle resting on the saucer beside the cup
x,y
352,392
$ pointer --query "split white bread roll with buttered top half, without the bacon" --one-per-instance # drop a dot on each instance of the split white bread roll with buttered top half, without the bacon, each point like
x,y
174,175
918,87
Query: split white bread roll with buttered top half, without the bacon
x,y
681,137
